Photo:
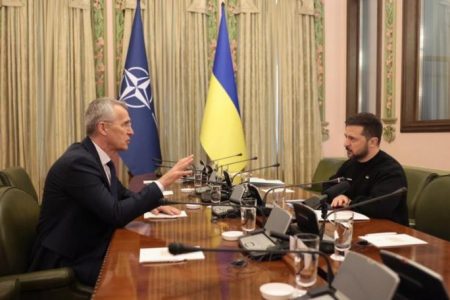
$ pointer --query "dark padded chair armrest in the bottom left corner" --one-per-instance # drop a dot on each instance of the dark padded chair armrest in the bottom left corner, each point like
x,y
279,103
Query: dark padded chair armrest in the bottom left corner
x,y
42,280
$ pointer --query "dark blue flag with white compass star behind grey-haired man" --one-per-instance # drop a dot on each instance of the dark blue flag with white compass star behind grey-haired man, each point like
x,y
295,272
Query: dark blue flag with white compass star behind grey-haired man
x,y
135,91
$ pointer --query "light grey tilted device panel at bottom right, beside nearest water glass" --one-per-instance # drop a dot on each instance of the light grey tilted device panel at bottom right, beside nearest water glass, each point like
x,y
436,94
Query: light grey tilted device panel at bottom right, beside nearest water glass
x,y
360,277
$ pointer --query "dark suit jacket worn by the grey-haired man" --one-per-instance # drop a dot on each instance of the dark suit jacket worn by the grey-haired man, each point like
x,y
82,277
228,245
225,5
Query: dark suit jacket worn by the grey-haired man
x,y
80,213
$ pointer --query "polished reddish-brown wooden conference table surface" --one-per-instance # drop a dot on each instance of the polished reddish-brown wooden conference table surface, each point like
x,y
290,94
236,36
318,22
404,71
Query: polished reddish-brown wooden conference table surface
x,y
123,277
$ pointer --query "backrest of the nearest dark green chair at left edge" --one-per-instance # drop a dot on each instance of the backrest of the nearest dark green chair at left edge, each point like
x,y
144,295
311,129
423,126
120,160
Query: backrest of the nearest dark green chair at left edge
x,y
19,214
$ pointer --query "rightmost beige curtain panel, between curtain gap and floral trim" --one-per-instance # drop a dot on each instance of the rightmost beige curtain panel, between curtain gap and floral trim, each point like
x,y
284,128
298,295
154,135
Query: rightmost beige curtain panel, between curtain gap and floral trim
x,y
300,124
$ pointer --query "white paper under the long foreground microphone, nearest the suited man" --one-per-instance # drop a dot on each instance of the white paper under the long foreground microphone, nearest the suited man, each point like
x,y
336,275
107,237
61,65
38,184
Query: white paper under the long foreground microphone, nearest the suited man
x,y
155,255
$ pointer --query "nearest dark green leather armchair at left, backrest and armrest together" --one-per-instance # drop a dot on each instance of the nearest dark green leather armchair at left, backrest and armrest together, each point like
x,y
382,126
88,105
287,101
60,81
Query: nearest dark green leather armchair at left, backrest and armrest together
x,y
19,214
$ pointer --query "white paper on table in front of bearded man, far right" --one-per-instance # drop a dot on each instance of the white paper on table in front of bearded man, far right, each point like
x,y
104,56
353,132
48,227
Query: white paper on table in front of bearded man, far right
x,y
391,239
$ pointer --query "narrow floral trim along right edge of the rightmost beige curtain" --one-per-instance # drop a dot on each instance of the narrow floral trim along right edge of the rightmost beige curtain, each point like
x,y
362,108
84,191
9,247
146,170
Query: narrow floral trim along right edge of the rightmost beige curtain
x,y
320,58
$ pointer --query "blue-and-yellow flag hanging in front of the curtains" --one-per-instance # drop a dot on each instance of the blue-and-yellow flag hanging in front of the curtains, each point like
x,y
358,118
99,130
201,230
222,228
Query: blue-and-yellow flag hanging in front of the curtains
x,y
221,132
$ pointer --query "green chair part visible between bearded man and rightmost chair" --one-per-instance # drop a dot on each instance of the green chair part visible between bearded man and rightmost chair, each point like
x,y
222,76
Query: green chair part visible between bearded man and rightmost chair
x,y
417,180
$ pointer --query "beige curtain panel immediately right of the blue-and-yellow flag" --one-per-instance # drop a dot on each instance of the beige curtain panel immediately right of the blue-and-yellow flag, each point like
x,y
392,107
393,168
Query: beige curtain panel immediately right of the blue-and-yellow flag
x,y
256,82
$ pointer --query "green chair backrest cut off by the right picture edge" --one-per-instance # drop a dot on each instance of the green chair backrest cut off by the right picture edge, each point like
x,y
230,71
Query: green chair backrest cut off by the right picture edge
x,y
433,208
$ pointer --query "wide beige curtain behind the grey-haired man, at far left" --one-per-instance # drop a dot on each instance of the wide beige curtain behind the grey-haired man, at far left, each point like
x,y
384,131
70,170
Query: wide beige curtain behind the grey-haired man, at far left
x,y
46,79
